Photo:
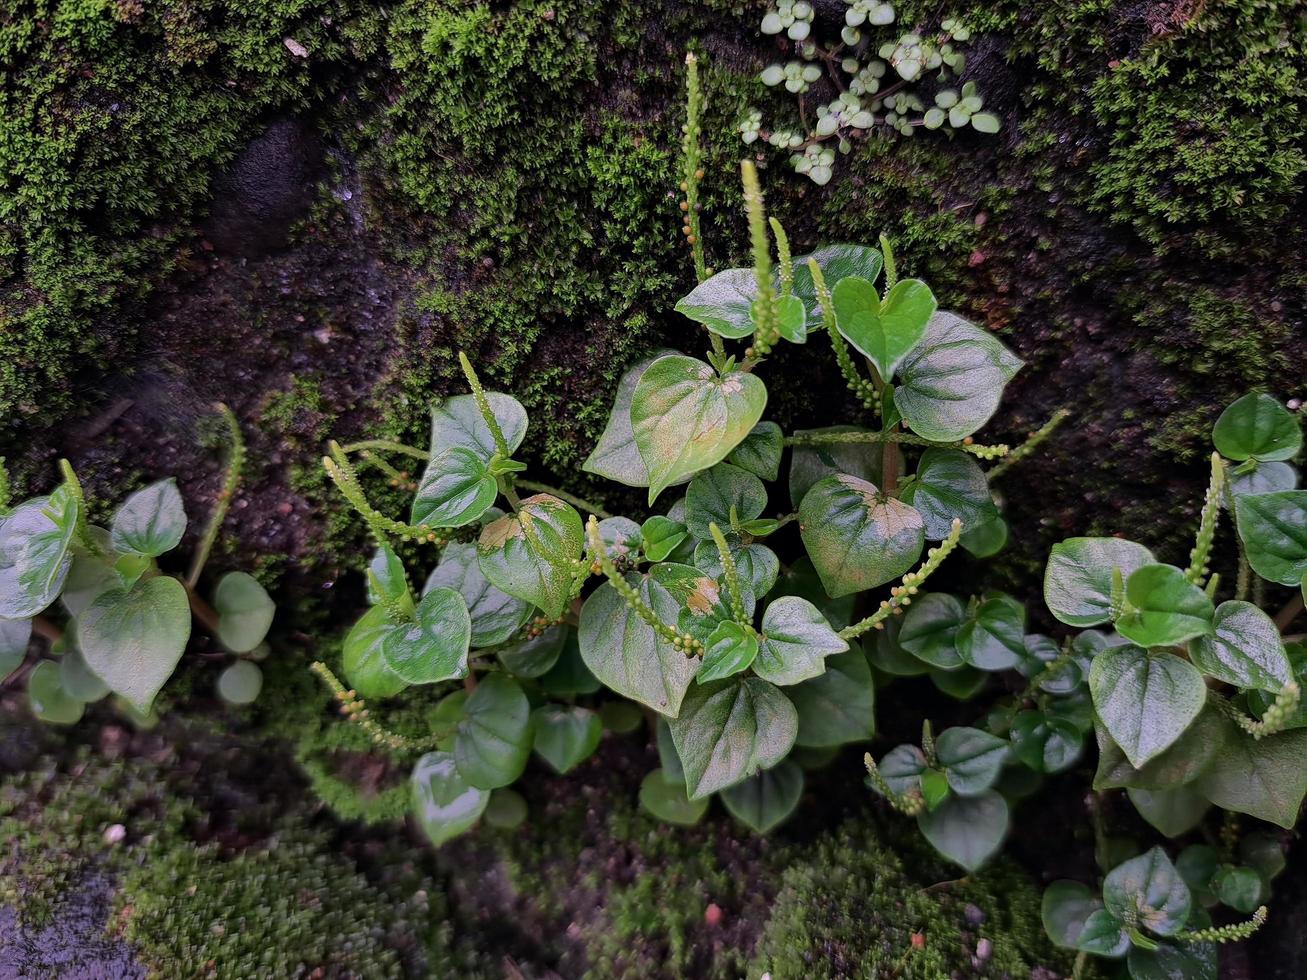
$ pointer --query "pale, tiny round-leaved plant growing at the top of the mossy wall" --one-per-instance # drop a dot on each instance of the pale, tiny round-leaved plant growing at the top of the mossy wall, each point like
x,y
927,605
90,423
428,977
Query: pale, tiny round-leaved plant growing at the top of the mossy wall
x,y
866,101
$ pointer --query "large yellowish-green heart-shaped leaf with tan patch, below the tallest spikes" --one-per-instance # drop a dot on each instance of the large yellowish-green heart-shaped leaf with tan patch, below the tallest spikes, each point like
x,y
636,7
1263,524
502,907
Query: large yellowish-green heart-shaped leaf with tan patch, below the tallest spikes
x,y
687,417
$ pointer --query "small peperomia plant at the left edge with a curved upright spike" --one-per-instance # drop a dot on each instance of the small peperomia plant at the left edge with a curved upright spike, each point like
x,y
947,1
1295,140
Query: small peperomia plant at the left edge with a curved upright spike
x,y
122,623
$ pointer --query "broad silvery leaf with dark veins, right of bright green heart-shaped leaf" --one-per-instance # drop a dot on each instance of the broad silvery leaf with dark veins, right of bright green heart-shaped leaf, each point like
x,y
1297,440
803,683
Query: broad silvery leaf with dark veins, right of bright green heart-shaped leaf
x,y
952,382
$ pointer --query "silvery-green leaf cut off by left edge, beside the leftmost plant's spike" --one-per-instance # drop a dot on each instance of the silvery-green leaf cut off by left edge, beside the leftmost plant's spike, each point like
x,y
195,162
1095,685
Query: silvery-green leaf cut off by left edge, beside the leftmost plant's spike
x,y
35,553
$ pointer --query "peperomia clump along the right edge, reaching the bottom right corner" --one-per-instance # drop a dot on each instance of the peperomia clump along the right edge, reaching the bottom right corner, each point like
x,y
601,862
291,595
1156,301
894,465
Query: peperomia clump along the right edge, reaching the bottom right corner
x,y
1195,704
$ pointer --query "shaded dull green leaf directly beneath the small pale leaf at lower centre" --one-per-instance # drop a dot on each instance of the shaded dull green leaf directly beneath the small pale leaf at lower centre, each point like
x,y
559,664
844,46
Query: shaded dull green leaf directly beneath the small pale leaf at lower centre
x,y
838,706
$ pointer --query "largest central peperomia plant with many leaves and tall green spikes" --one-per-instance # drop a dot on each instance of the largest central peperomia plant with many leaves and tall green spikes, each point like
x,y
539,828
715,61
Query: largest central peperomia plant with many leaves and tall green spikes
x,y
750,667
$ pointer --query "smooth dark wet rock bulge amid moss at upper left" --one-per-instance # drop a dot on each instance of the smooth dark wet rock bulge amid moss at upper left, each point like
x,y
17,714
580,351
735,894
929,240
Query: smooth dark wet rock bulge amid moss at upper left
x,y
270,188
